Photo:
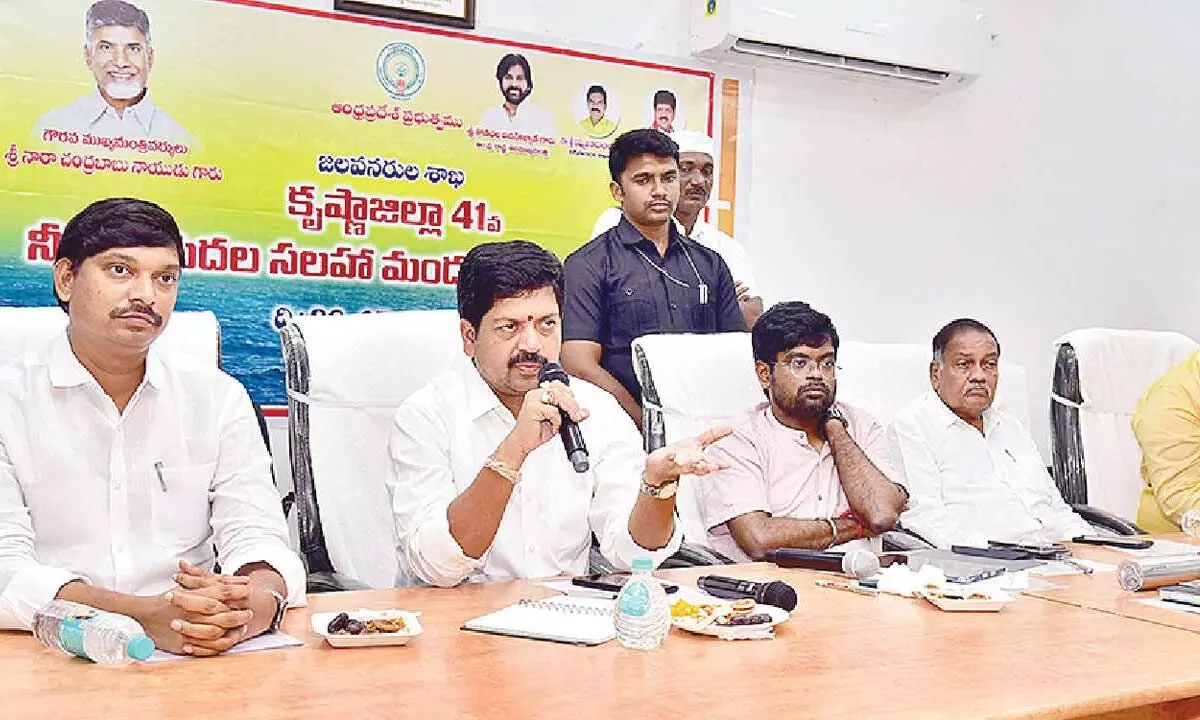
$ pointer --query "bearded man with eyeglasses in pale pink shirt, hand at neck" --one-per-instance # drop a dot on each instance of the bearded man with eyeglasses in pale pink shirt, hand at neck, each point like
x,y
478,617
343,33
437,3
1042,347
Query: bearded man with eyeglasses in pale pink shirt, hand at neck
x,y
805,471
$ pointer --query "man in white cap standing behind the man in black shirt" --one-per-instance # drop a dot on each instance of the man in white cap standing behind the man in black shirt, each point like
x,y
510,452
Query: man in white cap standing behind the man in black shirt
x,y
697,153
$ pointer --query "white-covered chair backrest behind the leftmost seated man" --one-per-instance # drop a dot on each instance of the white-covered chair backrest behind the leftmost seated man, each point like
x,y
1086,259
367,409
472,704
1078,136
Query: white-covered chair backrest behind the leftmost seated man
x,y
194,334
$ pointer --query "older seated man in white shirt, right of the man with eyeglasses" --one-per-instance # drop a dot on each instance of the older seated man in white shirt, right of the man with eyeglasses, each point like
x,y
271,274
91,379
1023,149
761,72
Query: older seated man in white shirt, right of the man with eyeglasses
x,y
974,472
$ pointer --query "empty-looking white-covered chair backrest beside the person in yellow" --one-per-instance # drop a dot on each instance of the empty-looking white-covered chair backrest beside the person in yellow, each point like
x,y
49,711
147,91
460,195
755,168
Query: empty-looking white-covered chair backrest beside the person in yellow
x,y
1100,376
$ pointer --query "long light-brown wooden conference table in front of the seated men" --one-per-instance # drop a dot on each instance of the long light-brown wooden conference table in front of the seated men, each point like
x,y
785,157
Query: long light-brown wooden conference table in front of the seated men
x,y
841,655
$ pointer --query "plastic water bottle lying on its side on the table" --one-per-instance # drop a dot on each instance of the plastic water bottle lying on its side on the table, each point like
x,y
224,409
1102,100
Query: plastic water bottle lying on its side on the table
x,y
105,638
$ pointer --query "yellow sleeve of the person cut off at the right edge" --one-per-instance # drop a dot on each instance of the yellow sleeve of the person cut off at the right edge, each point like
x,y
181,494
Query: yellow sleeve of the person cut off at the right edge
x,y
1167,424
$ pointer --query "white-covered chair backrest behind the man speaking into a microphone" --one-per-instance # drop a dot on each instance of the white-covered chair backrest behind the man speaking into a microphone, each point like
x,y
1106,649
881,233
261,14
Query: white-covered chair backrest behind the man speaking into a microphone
x,y
346,377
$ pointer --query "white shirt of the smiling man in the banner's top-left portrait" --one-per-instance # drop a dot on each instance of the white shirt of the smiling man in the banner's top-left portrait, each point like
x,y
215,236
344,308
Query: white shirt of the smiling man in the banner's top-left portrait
x,y
92,113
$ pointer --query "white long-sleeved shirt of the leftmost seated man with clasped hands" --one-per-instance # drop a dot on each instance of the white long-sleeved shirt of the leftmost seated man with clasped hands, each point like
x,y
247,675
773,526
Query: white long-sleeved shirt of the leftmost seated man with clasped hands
x,y
81,499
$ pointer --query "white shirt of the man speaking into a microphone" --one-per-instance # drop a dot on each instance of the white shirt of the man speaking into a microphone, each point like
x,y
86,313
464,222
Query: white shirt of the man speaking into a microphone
x,y
443,435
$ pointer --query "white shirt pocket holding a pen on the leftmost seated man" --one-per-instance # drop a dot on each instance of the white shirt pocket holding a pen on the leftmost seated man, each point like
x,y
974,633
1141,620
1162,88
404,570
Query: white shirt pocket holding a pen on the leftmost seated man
x,y
182,512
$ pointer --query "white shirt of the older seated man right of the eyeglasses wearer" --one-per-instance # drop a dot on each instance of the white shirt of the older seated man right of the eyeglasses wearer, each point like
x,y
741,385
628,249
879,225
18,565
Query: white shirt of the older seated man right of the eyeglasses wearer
x,y
970,488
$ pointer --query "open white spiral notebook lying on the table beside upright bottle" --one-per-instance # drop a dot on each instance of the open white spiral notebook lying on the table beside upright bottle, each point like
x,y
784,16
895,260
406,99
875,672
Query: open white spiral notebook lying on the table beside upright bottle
x,y
578,621
